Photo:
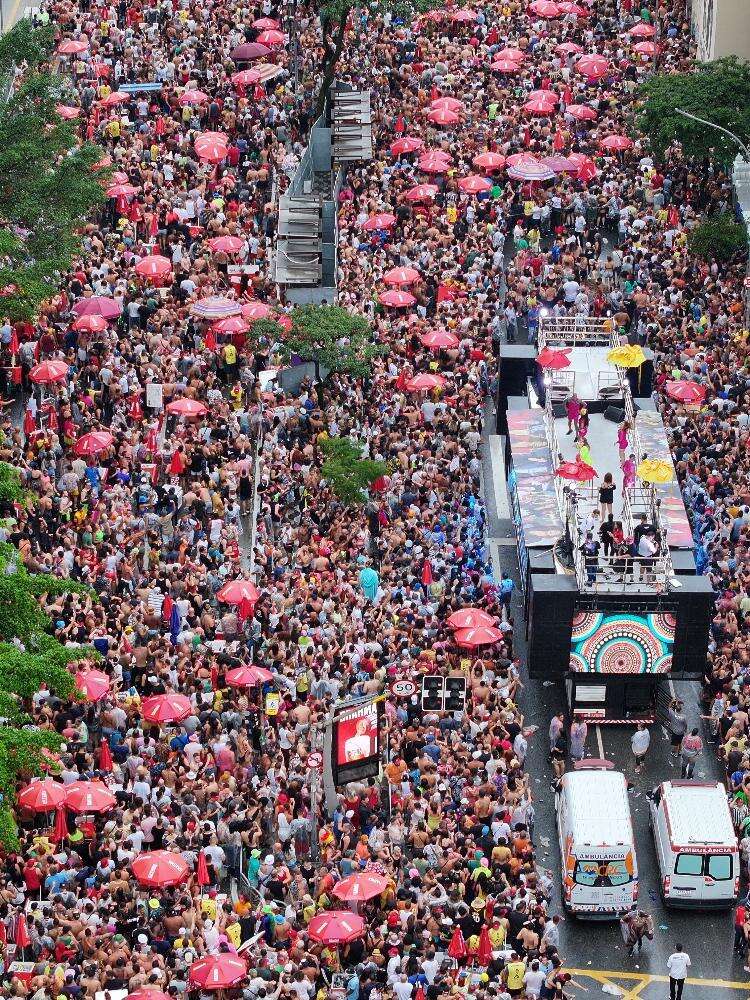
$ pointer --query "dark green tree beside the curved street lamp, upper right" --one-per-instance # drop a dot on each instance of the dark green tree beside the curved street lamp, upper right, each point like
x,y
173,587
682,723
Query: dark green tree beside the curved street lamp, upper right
x,y
717,91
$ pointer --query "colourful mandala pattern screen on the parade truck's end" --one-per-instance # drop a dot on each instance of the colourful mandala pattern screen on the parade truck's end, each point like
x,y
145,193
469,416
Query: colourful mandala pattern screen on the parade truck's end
x,y
622,644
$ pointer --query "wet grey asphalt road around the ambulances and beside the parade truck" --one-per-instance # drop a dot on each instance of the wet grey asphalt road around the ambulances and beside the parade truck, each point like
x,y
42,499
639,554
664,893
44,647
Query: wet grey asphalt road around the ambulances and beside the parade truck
x,y
595,949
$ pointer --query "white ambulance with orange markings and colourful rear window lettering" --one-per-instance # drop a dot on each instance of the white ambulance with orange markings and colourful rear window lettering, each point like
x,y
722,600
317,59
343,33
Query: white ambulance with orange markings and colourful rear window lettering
x,y
595,831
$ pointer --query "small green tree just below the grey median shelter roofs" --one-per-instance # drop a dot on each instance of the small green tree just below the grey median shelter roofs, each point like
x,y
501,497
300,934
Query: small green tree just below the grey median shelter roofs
x,y
332,338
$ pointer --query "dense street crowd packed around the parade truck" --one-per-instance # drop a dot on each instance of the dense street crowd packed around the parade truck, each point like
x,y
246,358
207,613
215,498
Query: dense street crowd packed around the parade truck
x,y
337,601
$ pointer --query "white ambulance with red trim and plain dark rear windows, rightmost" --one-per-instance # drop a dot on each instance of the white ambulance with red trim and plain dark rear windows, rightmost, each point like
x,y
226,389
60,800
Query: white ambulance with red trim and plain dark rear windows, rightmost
x,y
696,846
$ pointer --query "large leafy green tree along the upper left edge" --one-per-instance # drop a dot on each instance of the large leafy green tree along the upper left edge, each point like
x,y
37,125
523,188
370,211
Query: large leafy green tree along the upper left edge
x,y
47,185
